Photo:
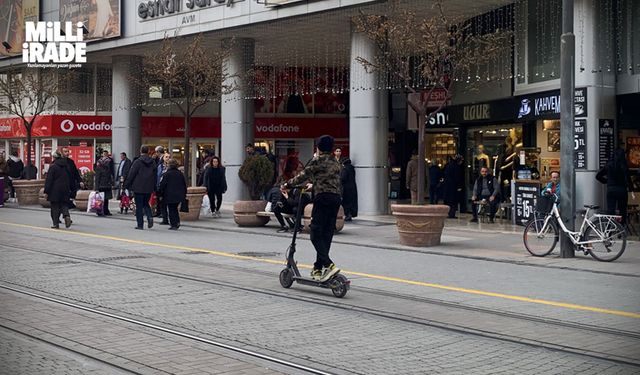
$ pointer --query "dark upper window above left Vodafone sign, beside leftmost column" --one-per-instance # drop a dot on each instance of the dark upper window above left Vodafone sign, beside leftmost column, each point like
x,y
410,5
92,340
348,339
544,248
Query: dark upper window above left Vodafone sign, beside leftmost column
x,y
77,90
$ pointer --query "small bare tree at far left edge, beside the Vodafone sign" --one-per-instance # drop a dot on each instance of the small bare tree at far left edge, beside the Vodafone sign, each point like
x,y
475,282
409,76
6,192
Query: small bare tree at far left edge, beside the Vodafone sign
x,y
28,94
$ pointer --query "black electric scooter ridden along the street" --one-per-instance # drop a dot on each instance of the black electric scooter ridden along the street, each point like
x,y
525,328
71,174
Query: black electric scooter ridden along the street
x,y
338,283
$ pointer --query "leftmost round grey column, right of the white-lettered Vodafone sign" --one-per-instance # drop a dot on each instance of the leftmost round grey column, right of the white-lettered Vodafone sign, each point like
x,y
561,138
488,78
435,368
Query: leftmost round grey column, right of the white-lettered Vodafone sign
x,y
125,117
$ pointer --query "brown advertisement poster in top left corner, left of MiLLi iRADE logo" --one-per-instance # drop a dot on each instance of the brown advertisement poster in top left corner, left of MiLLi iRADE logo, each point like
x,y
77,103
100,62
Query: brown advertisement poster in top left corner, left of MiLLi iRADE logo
x,y
13,15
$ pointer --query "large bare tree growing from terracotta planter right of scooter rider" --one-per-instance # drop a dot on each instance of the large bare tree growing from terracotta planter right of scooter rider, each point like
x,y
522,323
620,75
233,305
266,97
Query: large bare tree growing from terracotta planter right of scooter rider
x,y
429,52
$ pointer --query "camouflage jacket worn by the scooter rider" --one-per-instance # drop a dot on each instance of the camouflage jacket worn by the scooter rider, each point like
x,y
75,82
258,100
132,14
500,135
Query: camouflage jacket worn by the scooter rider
x,y
323,172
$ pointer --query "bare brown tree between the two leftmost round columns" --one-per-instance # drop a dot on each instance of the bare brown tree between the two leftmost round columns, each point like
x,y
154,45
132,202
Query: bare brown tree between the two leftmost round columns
x,y
189,75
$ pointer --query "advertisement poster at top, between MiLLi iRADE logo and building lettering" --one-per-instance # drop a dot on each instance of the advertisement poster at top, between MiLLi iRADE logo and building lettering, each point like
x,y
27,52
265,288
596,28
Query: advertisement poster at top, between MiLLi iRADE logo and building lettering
x,y
100,17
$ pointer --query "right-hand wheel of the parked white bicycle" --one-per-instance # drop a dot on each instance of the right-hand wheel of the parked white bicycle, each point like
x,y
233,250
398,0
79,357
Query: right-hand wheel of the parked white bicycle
x,y
610,239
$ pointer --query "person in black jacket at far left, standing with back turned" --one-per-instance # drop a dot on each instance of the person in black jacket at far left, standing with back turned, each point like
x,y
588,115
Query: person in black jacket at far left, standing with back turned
x,y
57,188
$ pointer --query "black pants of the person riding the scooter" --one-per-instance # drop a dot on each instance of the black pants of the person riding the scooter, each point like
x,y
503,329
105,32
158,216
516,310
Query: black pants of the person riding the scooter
x,y
323,224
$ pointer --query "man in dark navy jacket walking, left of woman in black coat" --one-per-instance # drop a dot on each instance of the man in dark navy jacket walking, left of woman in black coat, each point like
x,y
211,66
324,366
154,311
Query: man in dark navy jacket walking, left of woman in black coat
x,y
142,181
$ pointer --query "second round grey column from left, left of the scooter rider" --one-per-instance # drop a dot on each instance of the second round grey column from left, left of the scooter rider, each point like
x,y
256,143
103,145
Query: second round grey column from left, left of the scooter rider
x,y
237,117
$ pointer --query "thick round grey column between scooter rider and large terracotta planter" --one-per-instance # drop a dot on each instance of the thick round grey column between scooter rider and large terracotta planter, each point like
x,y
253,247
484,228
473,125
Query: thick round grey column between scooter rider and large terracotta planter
x,y
368,130
